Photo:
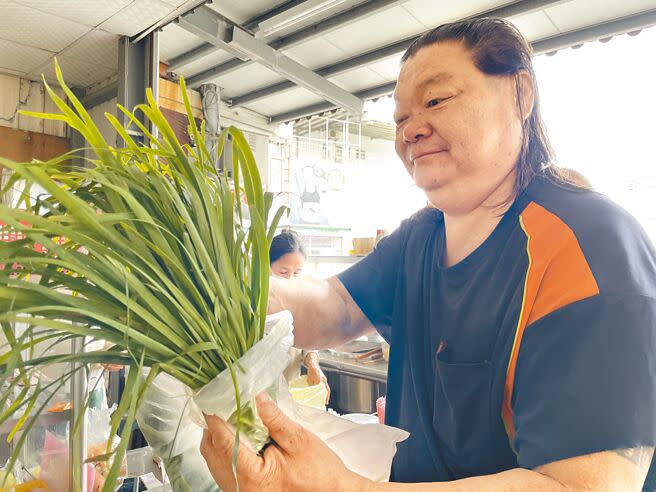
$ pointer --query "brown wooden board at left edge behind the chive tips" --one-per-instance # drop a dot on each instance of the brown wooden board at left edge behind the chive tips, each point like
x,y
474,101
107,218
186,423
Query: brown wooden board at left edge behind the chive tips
x,y
23,146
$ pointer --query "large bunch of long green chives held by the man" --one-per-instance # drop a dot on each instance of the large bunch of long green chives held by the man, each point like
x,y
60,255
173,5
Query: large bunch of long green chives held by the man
x,y
145,248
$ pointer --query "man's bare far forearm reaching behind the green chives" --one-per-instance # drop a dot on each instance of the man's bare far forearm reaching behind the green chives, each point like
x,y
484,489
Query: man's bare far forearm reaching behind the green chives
x,y
325,314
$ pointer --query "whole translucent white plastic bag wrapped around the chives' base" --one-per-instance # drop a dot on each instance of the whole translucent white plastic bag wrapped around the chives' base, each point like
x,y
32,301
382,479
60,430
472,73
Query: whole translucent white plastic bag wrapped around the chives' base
x,y
171,419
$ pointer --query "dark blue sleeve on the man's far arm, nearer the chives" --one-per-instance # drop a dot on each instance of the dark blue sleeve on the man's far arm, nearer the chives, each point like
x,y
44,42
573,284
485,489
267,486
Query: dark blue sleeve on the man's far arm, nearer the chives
x,y
372,281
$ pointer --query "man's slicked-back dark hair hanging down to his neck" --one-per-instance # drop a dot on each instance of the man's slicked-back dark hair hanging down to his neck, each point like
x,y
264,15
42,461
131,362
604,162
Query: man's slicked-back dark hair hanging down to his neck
x,y
498,48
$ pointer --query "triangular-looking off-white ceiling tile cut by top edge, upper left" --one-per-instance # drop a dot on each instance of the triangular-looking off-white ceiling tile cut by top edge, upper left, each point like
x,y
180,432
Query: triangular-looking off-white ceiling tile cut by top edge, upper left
x,y
87,12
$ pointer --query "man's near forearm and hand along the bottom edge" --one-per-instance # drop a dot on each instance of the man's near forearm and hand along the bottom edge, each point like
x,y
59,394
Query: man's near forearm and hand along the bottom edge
x,y
299,461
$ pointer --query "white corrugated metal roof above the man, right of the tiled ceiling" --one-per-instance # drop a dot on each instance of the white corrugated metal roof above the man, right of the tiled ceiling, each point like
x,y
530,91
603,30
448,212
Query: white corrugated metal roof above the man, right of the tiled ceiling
x,y
548,24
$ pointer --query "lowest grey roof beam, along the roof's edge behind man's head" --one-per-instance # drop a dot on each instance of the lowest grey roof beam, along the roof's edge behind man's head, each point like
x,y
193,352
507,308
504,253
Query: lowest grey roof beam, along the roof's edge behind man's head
x,y
547,45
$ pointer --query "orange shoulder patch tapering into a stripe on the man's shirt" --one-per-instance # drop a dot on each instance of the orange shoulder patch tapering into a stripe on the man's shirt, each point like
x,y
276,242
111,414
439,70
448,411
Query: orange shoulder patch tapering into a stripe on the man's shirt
x,y
558,275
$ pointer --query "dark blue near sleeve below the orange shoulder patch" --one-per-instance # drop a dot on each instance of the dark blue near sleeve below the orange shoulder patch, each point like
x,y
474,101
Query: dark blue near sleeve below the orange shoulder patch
x,y
586,380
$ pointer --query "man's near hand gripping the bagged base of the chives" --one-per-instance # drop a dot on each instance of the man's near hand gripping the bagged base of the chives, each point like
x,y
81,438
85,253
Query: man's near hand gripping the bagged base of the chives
x,y
297,460
